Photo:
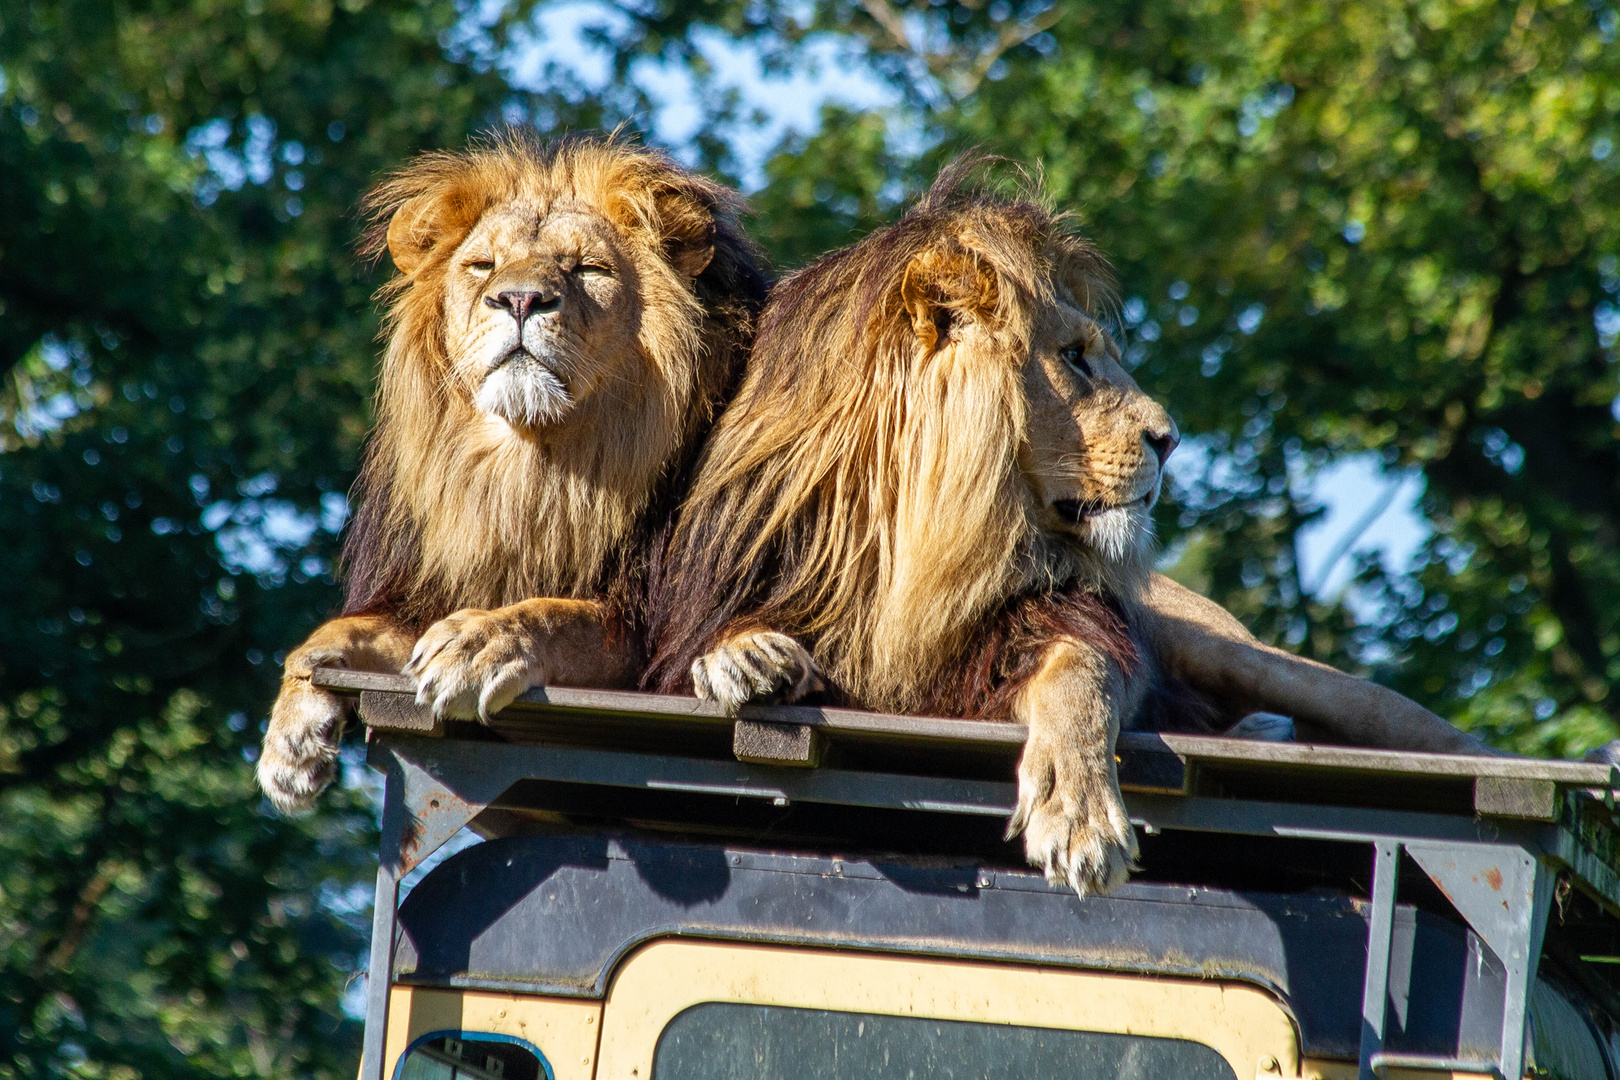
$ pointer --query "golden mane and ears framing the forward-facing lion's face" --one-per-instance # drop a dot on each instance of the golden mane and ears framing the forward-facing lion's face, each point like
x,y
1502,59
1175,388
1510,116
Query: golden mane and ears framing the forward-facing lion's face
x,y
456,516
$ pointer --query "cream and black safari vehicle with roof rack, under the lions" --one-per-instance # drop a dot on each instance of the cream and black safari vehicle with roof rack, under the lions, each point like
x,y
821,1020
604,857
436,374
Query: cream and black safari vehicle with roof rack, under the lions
x,y
667,895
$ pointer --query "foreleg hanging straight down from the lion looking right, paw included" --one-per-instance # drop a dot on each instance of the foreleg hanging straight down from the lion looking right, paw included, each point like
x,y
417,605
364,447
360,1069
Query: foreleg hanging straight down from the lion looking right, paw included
x,y
1070,809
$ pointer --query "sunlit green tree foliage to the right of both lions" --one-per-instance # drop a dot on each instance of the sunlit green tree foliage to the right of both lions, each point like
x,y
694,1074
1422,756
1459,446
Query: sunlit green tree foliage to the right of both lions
x,y
1375,229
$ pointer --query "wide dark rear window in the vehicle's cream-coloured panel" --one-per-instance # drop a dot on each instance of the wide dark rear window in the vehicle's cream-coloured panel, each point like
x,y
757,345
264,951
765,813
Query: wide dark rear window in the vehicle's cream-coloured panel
x,y
741,1042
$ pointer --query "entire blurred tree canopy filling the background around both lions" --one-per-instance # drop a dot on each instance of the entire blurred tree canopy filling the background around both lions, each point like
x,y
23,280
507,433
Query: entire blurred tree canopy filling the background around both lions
x,y
1379,229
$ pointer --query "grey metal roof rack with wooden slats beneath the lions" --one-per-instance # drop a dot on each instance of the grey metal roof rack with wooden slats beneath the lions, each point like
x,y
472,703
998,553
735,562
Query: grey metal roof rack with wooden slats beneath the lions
x,y
1498,835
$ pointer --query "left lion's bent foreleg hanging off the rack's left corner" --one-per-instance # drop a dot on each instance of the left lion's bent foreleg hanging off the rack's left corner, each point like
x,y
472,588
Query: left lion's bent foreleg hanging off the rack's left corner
x,y
299,757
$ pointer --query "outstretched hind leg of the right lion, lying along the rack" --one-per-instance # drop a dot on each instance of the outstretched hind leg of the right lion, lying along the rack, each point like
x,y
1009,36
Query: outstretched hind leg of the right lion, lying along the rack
x,y
1203,645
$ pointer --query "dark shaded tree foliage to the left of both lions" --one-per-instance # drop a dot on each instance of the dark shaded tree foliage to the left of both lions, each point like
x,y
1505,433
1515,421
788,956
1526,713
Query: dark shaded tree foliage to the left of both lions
x,y
187,346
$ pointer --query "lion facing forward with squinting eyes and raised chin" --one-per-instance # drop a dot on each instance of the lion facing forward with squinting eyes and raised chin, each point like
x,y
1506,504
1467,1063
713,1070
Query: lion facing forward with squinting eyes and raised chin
x,y
566,320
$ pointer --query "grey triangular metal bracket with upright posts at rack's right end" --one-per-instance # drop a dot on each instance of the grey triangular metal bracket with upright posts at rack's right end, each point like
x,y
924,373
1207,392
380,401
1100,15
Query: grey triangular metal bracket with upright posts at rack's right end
x,y
1504,893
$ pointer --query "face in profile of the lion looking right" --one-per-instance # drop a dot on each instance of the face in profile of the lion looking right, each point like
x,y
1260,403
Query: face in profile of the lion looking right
x,y
1096,444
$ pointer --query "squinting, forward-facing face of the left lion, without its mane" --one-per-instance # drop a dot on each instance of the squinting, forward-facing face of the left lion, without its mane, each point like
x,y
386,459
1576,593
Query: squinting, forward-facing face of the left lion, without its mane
x,y
537,312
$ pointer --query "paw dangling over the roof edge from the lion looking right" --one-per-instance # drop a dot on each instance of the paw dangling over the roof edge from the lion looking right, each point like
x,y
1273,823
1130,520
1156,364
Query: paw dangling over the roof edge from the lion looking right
x,y
1073,819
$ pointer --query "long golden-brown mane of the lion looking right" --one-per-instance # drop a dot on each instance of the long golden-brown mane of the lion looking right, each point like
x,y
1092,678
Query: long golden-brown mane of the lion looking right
x,y
864,490
